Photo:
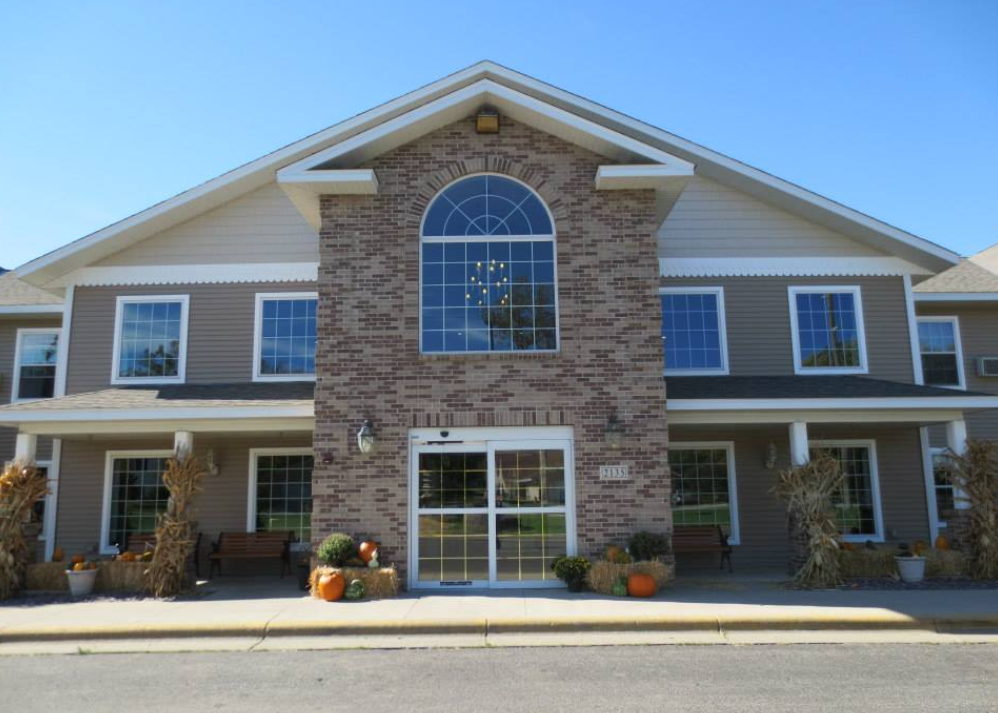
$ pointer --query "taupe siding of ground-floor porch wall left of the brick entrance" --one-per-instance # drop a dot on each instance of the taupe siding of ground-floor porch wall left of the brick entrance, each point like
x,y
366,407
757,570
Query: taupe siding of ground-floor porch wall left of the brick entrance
x,y
222,507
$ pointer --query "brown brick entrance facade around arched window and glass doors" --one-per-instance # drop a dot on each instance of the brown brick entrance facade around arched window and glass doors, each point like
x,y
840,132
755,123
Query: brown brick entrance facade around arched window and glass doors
x,y
369,364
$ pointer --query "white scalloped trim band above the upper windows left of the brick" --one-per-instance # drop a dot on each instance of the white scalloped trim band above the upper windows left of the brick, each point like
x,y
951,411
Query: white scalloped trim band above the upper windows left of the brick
x,y
200,274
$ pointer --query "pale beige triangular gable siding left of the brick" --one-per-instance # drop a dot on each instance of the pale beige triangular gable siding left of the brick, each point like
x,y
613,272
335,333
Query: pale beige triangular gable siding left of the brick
x,y
262,226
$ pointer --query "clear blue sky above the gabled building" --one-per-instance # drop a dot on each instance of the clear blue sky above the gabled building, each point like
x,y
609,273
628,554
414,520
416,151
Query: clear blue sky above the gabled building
x,y
109,107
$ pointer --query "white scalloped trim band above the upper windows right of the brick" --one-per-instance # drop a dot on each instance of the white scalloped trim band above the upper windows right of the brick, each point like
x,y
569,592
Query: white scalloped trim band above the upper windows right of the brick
x,y
786,266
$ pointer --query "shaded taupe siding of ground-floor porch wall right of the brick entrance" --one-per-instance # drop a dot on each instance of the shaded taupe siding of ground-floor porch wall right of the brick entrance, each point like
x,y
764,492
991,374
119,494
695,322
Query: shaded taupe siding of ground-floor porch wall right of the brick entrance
x,y
762,516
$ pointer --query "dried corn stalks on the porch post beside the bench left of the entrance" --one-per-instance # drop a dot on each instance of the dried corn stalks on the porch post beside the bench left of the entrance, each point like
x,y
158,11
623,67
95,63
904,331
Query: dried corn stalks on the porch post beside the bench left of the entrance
x,y
175,535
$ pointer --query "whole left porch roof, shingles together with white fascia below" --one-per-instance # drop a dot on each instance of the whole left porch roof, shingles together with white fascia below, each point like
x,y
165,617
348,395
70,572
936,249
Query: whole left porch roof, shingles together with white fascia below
x,y
143,409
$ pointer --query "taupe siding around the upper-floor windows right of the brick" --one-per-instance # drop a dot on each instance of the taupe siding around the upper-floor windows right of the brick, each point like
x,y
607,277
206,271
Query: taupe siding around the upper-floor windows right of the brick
x,y
757,311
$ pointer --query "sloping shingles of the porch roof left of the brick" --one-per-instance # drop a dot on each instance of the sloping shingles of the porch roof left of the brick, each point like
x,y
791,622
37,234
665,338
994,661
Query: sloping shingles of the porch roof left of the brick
x,y
185,396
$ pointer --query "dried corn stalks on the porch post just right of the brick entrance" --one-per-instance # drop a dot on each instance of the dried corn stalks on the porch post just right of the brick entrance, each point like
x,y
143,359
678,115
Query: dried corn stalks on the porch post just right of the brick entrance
x,y
809,490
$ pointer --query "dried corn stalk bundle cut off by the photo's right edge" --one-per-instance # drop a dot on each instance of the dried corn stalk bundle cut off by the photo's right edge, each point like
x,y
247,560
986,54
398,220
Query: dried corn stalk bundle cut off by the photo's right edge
x,y
974,474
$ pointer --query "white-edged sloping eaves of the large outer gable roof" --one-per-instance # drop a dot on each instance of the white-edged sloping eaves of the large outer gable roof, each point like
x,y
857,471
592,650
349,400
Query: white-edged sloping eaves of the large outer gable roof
x,y
708,163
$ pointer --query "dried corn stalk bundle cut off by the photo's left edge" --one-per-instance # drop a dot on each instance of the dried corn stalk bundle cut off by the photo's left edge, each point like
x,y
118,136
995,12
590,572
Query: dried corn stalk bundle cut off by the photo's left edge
x,y
21,485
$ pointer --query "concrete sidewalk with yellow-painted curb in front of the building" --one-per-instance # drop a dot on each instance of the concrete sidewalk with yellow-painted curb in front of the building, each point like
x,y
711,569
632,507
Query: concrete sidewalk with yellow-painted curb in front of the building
x,y
254,609
